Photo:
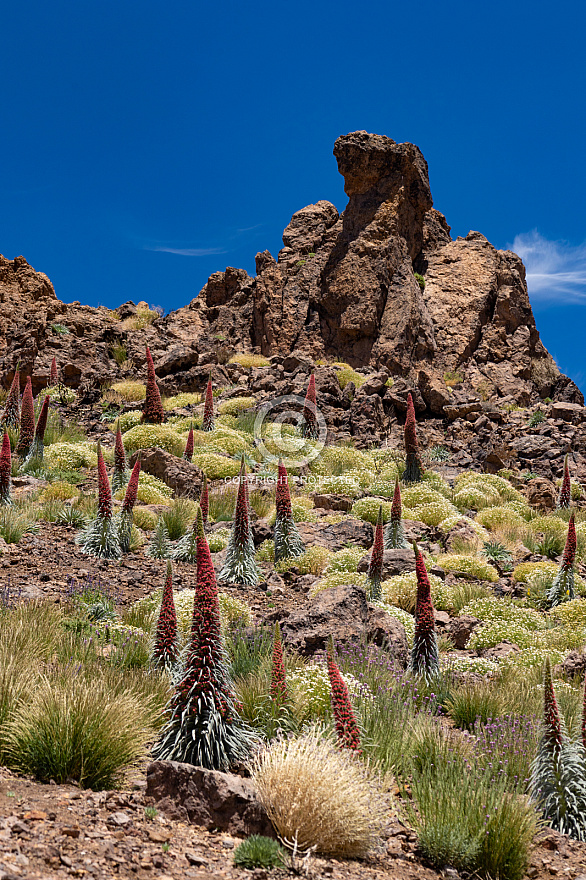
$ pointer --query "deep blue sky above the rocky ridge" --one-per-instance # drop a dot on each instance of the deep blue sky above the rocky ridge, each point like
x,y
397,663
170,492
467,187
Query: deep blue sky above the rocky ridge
x,y
146,145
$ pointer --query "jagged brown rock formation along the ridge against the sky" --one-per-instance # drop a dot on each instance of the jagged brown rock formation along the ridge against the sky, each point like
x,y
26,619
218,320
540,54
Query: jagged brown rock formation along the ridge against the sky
x,y
342,288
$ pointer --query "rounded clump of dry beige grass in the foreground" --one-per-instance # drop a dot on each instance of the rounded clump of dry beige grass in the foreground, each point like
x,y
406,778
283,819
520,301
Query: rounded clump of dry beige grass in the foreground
x,y
320,796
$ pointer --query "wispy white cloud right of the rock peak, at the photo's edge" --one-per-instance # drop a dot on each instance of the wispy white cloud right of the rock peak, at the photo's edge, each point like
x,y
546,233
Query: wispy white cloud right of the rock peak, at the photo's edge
x,y
556,270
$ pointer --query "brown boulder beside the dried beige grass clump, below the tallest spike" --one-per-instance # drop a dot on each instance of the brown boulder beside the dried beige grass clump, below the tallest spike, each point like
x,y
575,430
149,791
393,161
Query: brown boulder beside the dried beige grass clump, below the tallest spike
x,y
218,801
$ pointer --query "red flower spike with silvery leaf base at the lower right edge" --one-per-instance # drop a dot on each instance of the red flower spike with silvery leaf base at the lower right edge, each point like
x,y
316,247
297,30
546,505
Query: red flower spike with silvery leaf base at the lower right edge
x,y
558,773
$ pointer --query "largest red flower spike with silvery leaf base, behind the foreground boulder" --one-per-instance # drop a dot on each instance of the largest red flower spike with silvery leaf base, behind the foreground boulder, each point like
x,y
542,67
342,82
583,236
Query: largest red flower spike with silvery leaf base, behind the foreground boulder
x,y
204,728
